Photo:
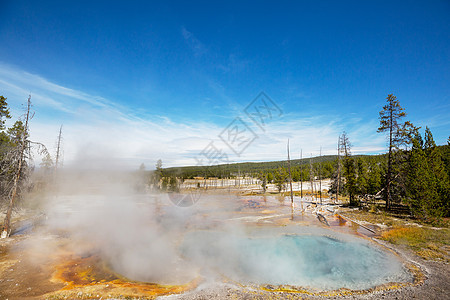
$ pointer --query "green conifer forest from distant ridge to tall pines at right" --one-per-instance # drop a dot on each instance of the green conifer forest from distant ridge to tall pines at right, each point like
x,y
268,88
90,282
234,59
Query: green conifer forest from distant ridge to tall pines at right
x,y
414,172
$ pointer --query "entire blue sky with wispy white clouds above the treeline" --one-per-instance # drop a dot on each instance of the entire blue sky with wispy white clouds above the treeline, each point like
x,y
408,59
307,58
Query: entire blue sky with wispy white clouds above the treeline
x,y
139,80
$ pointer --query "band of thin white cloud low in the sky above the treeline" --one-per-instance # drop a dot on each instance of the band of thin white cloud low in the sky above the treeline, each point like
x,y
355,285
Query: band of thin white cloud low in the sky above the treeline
x,y
98,132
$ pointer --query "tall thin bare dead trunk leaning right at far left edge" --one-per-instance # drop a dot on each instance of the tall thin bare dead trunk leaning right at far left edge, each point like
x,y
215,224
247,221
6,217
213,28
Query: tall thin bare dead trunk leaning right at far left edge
x,y
13,195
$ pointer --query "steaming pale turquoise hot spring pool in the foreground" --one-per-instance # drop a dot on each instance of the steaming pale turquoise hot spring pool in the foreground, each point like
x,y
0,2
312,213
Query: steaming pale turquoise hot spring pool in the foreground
x,y
314,260
